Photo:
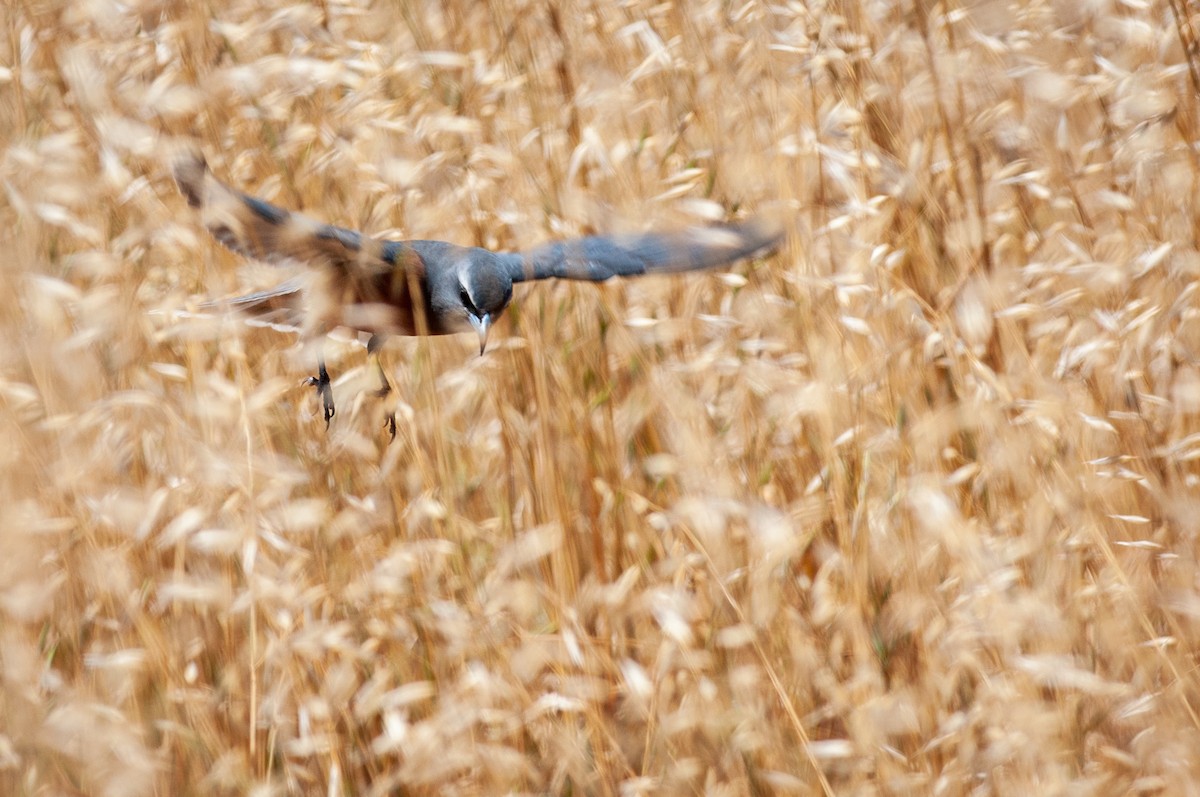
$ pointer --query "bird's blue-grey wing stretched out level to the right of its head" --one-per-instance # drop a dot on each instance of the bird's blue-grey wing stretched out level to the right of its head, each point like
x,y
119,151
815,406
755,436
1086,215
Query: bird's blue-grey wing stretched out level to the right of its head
x,y
602,257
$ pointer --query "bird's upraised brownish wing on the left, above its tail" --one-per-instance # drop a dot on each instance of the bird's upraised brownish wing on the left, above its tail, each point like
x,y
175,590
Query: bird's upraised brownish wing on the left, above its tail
x,y
262,231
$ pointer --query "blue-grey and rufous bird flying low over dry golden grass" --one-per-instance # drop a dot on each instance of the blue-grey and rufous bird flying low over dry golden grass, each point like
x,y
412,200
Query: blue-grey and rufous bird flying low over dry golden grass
x,y
419,287
